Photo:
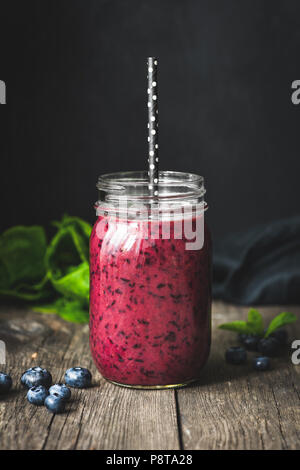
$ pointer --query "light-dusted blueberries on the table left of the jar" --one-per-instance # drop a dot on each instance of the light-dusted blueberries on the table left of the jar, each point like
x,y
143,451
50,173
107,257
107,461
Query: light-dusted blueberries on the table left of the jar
x,y
41,392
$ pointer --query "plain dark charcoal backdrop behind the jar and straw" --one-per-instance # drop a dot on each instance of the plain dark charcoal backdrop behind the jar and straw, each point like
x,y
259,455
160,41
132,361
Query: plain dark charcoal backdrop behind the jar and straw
x,y
76,103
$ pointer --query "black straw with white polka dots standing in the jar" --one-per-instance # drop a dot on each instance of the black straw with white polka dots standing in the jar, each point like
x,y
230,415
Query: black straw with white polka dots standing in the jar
x,y
152,126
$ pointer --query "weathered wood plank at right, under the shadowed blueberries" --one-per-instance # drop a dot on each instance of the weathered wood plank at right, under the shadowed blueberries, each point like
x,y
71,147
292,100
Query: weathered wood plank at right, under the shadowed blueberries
x,y
234,407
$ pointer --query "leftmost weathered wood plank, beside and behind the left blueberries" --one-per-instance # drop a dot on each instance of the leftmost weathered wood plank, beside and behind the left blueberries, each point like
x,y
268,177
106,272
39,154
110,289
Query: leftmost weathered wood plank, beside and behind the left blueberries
x,y
23,426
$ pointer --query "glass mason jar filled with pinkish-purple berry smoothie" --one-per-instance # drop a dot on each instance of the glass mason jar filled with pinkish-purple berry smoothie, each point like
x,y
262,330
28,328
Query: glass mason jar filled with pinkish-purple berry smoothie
x,y
150,280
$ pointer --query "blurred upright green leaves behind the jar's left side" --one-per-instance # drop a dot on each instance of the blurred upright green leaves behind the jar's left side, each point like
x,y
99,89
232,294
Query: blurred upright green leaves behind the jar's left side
x,y
31,271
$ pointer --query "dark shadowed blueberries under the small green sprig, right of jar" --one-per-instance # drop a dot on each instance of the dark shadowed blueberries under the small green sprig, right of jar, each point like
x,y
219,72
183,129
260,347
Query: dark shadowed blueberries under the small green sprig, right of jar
x,y
267,347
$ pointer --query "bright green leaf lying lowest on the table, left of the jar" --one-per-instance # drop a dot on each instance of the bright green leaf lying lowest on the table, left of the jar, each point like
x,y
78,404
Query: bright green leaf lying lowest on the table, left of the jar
x,y
70,310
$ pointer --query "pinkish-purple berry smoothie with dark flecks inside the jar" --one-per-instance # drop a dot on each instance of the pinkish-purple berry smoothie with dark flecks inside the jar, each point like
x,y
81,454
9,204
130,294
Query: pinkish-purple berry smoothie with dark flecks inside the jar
x,y
150,306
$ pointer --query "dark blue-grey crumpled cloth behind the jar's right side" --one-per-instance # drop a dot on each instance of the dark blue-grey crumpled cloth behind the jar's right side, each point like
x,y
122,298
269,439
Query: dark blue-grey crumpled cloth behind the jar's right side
x,y
260,266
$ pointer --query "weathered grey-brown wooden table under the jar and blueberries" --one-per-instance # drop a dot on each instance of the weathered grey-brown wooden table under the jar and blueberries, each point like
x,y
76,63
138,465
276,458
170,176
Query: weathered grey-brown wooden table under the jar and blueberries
x,y
232,407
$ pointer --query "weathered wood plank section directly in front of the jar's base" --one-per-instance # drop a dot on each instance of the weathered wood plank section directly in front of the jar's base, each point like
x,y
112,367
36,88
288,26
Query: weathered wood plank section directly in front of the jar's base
x,y
118,418
